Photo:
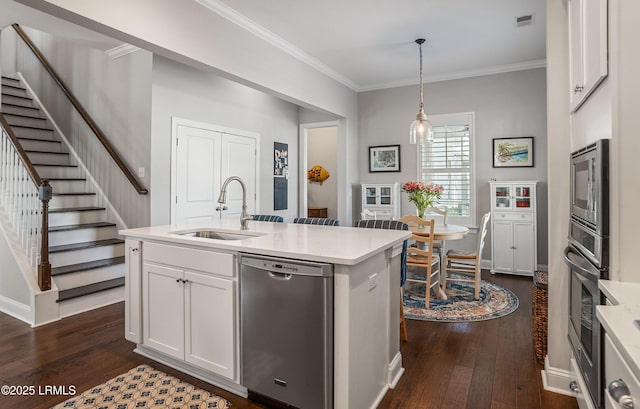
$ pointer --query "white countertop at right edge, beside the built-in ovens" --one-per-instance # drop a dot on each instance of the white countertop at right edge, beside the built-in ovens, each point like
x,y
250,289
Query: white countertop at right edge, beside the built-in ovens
x,y
618,319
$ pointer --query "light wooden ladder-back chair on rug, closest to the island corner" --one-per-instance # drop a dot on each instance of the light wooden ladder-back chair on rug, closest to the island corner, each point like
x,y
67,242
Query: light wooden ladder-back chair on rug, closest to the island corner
x,y
423,257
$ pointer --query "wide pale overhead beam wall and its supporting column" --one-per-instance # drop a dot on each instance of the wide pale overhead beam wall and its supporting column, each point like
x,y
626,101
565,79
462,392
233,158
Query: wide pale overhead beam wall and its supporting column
x,y
190,33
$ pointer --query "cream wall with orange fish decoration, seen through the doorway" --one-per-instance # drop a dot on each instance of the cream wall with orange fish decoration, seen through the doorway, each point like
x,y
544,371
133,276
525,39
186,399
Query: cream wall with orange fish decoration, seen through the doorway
x,y
322,149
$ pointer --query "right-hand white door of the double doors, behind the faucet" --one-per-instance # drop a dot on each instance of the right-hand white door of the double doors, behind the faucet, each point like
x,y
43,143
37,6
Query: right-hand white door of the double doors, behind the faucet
x,y
238,159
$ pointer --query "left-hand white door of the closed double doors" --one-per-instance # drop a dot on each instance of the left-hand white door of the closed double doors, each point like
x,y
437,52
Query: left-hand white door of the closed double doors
x,y
197,173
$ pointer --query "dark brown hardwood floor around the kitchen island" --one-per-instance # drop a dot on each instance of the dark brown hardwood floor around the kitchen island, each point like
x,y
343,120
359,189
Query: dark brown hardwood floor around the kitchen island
x,y
488,364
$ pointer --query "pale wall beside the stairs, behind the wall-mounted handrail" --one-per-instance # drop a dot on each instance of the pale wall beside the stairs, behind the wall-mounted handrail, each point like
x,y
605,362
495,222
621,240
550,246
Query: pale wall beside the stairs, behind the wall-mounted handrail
x,y
115,92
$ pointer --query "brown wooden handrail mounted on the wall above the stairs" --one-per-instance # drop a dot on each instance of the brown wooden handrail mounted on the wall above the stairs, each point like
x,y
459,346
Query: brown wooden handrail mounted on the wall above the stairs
x,y
83,113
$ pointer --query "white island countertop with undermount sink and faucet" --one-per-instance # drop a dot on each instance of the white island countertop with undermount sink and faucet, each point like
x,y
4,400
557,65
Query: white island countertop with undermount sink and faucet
x,y
329,244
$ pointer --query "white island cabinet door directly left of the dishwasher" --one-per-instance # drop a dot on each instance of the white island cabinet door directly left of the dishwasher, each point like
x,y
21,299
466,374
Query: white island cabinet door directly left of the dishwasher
x,y
209,323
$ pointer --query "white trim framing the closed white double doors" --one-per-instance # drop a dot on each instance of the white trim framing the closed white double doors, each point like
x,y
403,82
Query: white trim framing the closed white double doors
x,y
176,122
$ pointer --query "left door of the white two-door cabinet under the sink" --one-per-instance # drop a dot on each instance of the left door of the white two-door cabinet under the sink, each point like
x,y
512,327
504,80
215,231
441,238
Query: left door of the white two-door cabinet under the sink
x,y
163,309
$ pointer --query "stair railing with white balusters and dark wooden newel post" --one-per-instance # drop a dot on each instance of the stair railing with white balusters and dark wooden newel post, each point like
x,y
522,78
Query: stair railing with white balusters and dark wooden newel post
x,y
25,197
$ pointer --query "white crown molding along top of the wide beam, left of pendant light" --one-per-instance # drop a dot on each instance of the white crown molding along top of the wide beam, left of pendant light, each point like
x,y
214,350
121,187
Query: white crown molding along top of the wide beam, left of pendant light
x,y
251,26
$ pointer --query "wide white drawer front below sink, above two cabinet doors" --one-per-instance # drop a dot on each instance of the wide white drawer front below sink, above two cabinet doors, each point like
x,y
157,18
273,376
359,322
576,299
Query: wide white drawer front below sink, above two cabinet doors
x,y
191,259
